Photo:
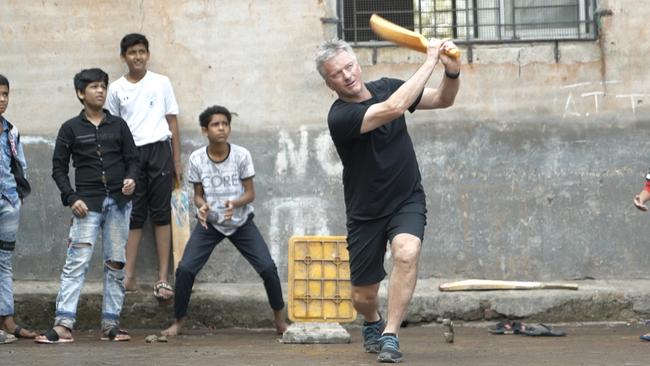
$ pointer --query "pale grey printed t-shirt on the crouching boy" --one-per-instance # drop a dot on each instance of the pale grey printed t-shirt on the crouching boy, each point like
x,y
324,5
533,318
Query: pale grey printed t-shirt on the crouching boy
x,y
222,181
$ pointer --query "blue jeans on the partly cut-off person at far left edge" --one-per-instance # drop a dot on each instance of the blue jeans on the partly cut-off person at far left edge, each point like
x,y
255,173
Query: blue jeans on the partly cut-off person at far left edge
x,y
9,217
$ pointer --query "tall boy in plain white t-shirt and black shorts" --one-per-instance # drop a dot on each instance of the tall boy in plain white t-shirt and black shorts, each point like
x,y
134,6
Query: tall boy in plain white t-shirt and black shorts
x,y
146,101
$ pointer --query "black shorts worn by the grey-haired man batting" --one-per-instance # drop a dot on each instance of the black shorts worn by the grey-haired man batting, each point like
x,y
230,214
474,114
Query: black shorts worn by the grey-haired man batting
x,y
367,238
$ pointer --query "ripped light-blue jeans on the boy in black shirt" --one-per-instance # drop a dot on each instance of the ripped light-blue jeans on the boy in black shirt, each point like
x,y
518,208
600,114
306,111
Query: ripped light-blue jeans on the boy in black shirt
x,y
113,222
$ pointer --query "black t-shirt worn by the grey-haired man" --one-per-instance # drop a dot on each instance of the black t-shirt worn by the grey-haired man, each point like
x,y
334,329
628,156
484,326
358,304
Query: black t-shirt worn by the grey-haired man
x,y
380,169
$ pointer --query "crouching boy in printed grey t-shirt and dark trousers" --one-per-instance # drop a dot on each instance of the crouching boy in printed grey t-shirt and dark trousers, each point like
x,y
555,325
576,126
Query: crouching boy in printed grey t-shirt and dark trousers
x,y
222,174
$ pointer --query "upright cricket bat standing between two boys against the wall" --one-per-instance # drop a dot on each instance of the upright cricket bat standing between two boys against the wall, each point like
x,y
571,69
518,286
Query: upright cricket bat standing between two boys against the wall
x,y
180,222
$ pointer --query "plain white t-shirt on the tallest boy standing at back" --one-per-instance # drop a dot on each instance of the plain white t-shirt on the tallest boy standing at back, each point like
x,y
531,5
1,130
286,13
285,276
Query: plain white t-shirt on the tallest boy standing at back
x,y
144,105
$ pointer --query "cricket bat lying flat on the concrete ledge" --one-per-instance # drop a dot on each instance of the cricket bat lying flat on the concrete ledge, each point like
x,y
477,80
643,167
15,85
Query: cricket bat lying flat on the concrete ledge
x,y
487,285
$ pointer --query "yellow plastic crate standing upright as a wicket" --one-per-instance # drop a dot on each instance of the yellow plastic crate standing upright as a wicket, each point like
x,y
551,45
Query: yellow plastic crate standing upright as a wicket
x,y
319,280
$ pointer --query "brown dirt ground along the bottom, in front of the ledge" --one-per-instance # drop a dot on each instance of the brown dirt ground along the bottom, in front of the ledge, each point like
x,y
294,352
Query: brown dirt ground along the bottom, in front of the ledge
x,y
592,344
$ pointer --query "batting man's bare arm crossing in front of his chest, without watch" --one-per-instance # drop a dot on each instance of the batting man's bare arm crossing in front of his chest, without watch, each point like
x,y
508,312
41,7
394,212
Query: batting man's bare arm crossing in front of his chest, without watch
x,y
399,102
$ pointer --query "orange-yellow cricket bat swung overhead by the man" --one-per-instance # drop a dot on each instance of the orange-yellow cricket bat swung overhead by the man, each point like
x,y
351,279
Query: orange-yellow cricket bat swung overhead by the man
x,y
404,37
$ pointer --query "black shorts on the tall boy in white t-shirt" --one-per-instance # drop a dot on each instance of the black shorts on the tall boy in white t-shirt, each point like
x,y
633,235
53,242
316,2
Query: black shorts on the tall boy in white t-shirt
x,y
153,188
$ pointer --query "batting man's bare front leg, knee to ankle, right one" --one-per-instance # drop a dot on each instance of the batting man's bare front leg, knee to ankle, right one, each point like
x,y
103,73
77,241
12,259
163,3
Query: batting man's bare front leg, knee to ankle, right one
x,y
405,250
